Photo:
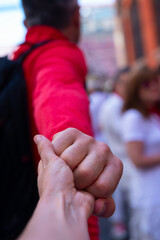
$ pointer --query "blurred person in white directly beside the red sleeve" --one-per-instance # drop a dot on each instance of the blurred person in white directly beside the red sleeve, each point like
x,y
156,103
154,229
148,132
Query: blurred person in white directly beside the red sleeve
x,y
97,95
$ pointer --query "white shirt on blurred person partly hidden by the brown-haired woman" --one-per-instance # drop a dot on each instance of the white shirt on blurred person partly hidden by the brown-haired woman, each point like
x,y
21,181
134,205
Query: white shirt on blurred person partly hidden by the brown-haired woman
x,y
110,120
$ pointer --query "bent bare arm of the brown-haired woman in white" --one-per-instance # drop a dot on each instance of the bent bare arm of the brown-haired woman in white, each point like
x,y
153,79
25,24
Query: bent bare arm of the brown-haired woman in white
x,y
136,153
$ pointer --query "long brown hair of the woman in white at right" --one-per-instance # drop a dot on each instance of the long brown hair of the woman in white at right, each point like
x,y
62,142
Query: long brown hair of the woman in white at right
x,y
132,99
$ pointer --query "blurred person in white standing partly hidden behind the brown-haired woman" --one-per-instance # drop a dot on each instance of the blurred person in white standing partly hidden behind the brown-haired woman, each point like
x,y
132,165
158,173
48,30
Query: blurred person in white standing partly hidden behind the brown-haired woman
x,y
110,121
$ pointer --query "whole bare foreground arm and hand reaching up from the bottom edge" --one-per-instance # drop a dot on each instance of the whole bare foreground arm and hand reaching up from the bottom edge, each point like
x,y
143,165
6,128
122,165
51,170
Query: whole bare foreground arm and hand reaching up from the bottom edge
x,y
62,211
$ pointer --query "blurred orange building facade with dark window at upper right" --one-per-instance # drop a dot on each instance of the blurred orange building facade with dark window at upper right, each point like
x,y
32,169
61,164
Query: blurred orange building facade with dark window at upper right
x,y
140,21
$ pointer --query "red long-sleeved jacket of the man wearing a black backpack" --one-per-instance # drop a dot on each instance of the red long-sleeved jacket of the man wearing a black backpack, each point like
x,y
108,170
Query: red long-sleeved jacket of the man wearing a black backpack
x,y
55,75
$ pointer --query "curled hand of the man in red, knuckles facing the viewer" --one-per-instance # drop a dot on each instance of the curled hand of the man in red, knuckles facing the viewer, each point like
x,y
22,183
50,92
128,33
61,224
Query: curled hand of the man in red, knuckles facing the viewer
x,y
96,170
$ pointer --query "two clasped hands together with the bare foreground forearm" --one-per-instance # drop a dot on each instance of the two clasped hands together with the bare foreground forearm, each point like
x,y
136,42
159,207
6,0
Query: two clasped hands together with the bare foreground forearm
x,y
61,204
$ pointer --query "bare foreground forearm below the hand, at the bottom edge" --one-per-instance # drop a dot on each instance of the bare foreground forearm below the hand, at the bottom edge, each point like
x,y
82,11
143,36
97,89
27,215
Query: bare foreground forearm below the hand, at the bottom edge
x,y
56,220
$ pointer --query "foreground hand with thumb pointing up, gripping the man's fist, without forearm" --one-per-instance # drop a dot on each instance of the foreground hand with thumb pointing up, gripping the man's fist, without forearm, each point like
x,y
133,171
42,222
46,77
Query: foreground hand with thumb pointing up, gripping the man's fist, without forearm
x,y
56,181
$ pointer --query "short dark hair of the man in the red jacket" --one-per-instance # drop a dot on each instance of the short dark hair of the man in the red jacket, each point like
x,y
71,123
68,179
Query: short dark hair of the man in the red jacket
x,y
55,13
